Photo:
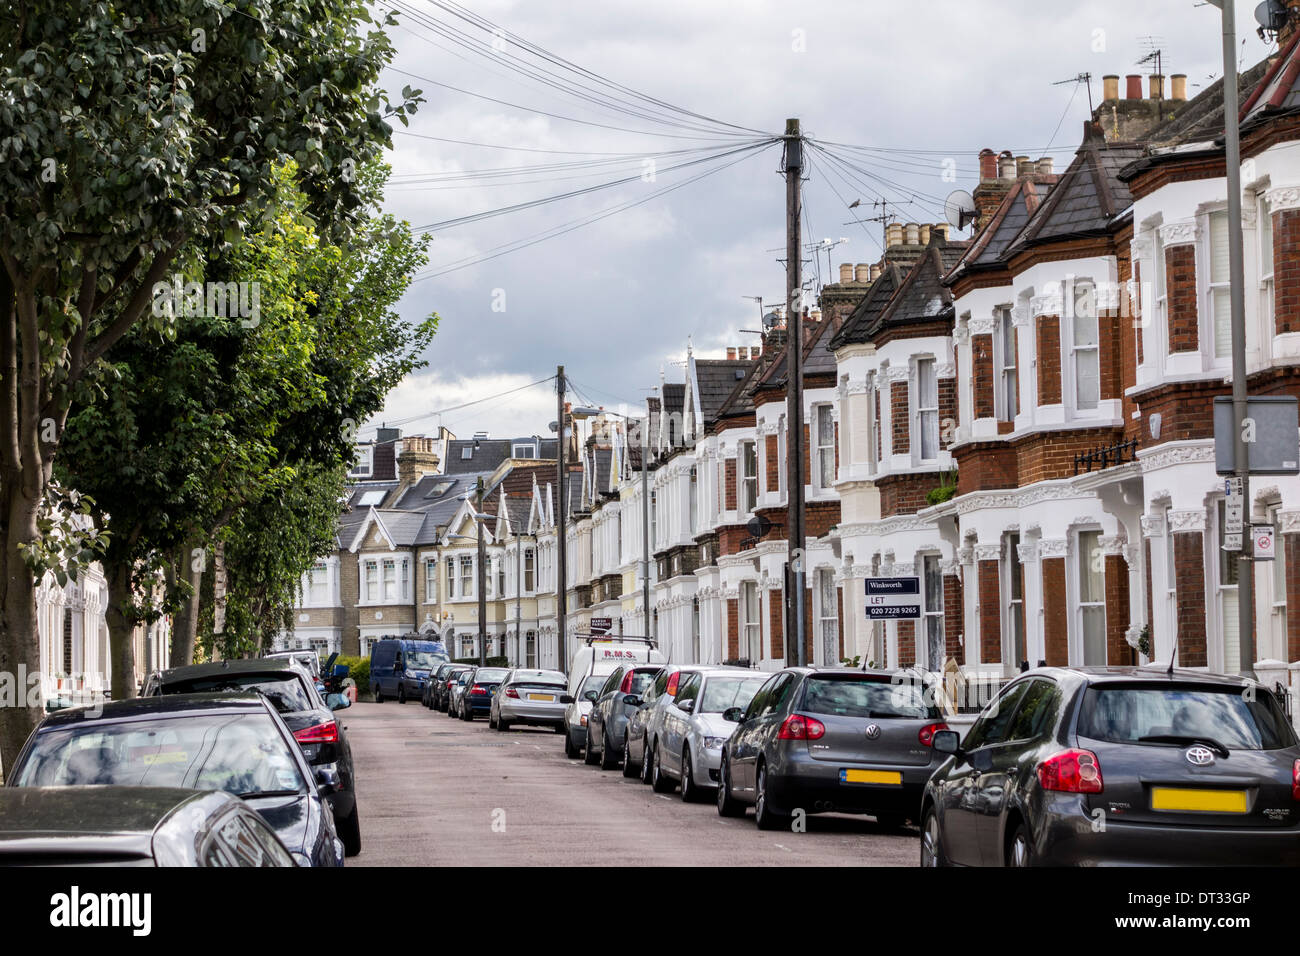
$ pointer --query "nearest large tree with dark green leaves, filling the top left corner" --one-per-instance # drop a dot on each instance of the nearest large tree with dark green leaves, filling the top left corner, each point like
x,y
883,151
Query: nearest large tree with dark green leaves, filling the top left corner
x,y
129,131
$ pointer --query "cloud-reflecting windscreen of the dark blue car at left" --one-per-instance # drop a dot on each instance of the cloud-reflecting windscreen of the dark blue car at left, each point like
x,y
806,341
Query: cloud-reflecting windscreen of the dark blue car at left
x,y
241,754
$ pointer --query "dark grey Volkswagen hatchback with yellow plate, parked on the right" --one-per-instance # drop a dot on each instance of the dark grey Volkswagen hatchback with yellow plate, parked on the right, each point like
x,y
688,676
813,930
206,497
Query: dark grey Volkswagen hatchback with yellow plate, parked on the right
x,y
831,739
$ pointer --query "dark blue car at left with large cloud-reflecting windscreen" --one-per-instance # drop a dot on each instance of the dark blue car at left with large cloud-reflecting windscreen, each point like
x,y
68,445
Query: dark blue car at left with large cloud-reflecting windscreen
x,y
229,742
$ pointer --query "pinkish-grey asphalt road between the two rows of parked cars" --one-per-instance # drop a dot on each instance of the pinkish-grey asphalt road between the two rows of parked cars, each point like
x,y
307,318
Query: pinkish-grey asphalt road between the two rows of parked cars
x,y
436,791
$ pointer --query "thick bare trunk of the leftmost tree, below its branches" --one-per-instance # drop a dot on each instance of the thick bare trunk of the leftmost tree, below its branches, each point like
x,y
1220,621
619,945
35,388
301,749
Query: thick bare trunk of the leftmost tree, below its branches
x,y
20,639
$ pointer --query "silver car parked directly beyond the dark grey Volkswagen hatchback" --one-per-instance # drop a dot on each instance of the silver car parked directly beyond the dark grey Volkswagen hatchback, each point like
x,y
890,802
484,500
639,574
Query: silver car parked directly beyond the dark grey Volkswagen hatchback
x,y
694,732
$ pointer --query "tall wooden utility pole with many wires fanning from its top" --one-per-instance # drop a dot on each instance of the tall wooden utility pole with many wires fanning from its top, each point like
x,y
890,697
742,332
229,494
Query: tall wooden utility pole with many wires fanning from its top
x,y
794,163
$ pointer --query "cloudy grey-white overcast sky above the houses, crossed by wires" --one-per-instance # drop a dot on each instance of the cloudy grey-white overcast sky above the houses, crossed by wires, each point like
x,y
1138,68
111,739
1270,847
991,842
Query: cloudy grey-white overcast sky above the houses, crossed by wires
x,y
617,301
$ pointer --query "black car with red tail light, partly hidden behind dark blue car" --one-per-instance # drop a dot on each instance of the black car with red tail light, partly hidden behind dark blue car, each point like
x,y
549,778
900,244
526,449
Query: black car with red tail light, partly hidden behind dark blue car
x,y
296,697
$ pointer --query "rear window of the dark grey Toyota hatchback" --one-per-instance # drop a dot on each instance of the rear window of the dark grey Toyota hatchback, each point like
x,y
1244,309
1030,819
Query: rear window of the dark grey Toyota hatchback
x,y
1128,715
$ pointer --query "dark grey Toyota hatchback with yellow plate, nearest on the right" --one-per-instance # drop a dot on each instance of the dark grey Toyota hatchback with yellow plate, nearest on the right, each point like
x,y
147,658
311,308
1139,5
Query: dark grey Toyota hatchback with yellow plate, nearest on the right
x,y
1119,765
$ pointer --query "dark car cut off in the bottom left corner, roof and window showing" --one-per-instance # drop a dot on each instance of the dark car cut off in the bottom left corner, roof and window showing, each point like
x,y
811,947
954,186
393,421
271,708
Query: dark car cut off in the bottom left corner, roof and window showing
x,y
133,827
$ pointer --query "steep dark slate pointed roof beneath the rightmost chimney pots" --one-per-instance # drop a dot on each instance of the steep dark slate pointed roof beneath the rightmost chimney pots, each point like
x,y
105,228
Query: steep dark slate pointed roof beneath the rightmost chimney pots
x,y
1087,196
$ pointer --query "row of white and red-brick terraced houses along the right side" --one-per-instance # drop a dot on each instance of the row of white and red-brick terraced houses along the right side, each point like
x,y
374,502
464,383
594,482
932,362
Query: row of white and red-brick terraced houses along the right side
x,y
1024,421
